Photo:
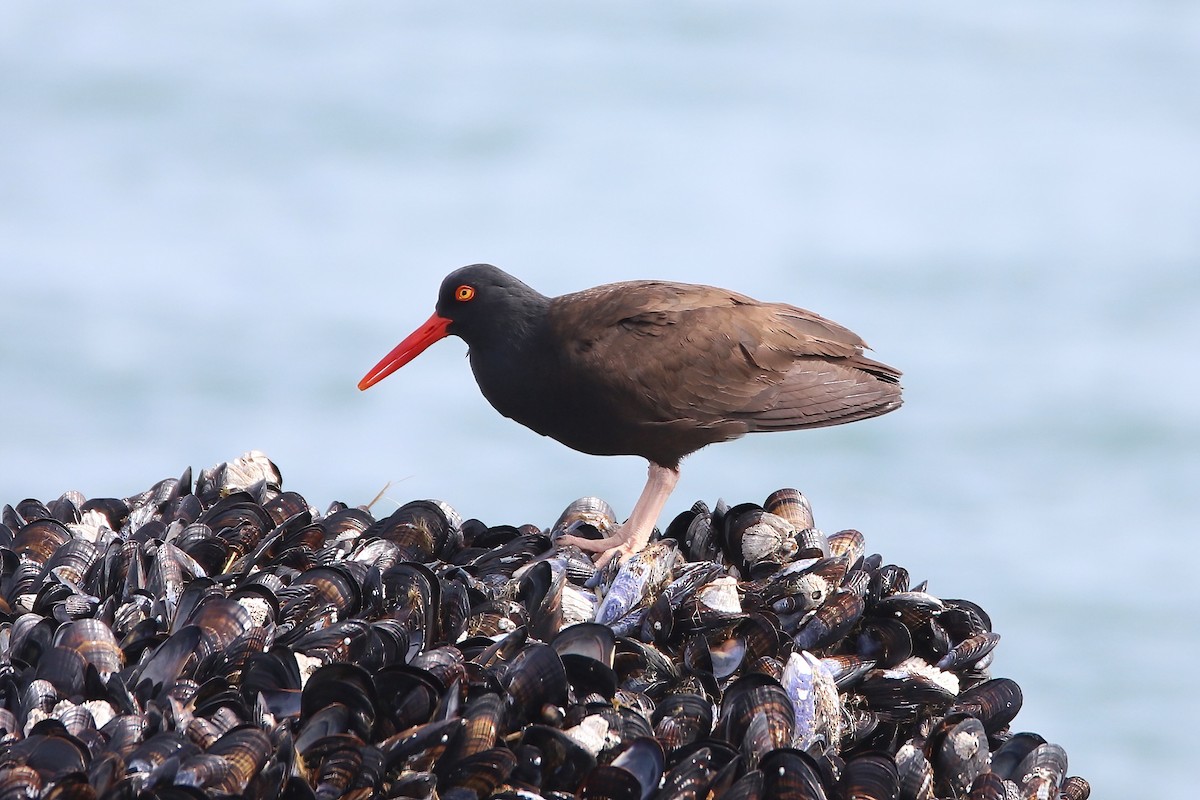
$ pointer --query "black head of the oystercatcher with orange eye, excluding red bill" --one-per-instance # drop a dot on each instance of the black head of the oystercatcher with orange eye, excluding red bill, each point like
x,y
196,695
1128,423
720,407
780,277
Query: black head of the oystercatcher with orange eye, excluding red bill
x,y
482,300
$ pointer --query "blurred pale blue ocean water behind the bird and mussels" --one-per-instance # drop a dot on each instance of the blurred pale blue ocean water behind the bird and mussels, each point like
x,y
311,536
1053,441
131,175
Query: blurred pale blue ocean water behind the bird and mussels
x,y
214,220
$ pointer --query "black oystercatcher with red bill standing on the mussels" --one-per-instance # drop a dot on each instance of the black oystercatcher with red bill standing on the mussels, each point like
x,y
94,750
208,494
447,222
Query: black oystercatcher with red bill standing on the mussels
x,y
650,369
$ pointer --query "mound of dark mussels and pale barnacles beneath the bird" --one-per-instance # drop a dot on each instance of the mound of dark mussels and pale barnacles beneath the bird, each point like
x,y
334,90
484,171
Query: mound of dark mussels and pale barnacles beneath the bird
x,y
223,639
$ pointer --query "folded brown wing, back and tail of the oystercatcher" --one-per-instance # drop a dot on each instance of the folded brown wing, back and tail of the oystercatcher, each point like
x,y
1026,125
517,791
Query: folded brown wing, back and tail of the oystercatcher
x,y
713,358
